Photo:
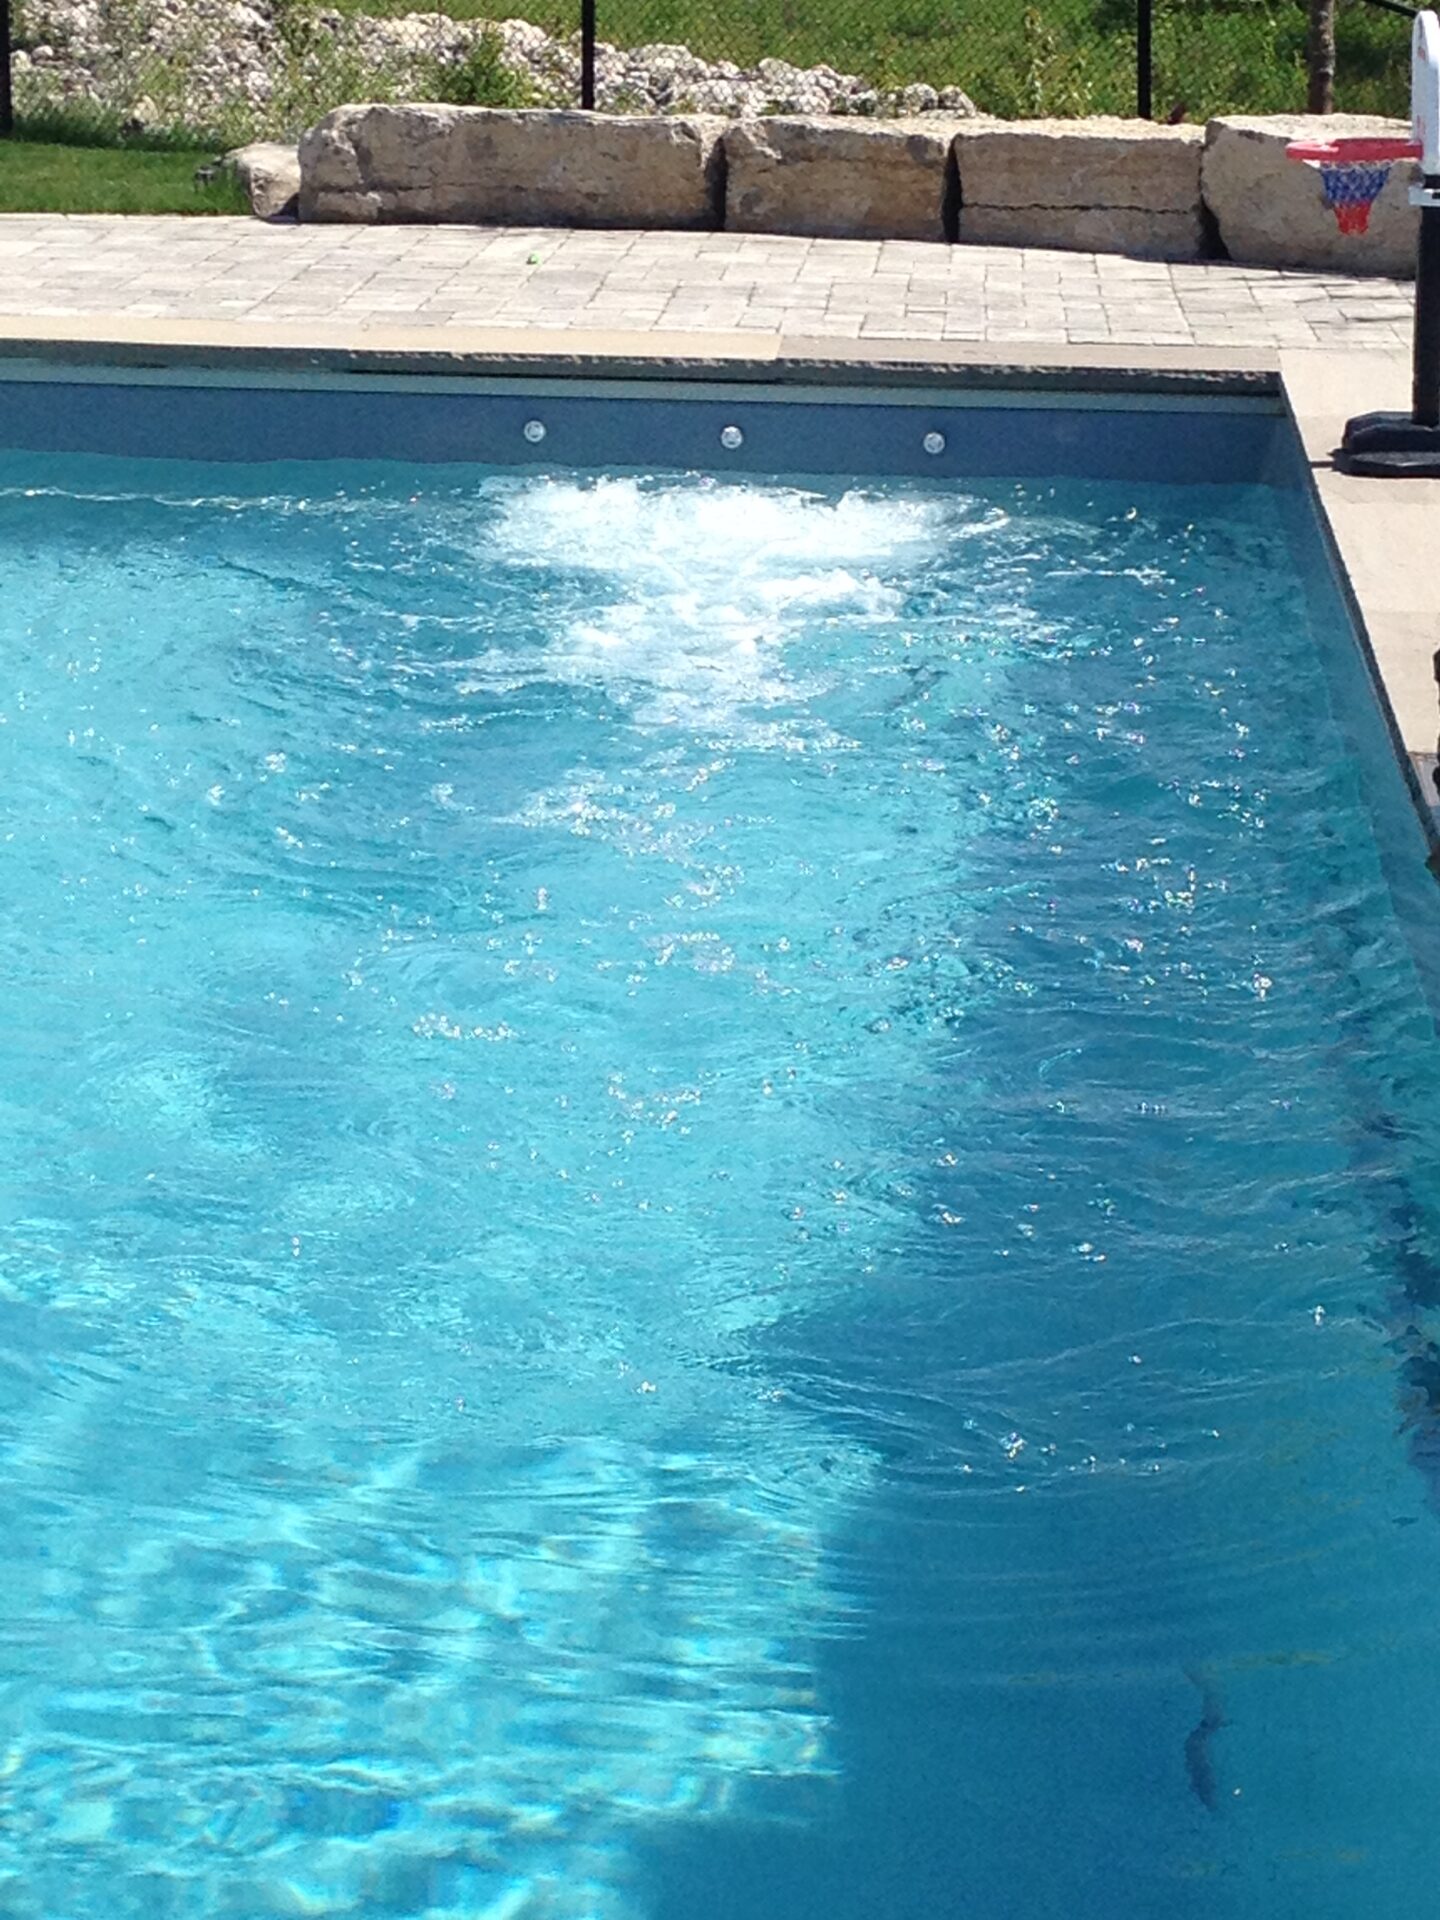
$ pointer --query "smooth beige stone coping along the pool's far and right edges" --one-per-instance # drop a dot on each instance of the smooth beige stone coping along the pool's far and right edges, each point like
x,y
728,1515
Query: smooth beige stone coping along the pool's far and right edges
x,y
1376,529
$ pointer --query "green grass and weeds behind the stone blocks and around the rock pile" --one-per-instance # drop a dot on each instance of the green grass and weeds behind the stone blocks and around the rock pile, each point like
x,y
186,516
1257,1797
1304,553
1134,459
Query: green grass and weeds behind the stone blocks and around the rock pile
x,y
1019,59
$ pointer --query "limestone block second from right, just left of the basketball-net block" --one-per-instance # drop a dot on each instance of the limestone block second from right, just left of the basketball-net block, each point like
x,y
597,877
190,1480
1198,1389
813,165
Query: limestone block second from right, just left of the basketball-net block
x,y
1107,185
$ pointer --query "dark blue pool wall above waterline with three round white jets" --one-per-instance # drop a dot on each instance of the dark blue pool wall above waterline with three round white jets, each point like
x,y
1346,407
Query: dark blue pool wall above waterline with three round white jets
x,y
882,431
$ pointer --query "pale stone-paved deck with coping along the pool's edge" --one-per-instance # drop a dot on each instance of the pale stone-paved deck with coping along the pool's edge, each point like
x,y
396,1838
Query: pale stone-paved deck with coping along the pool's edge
x,y
773,308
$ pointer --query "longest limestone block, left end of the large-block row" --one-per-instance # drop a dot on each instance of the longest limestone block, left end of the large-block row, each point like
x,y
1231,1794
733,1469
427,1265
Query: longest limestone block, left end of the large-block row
x,y
533,168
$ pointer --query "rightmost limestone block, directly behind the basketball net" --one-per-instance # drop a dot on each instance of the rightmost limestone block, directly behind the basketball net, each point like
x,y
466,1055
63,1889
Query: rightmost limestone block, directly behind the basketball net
x,y
1270,210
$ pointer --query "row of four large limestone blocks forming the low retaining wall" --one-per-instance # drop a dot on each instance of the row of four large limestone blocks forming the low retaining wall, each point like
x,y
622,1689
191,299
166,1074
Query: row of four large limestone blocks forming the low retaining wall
x,y
1103,185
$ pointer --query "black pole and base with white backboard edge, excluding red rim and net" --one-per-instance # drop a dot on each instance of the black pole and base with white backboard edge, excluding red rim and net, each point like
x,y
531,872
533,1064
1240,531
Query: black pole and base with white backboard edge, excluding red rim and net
x,y
1399,443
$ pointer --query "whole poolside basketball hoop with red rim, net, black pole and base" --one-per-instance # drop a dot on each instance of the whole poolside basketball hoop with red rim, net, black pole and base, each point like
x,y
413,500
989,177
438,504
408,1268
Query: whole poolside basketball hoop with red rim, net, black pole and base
x,y
1353,174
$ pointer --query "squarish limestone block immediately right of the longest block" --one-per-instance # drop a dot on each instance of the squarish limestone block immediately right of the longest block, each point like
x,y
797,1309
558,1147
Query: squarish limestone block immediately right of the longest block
x,y
840,178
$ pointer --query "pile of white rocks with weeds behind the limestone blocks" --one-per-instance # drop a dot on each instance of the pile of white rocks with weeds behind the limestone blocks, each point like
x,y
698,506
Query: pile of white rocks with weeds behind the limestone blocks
x,y
272,68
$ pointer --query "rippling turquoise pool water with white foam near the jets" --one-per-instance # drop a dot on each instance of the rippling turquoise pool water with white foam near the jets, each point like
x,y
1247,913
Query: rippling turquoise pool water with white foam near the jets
x,y
719,1199
